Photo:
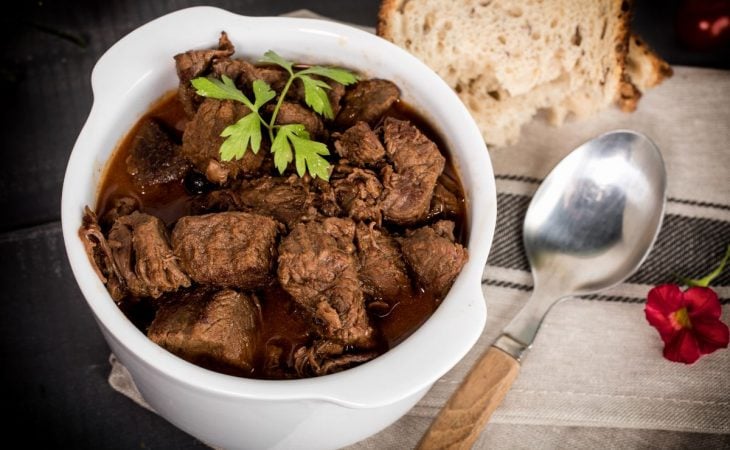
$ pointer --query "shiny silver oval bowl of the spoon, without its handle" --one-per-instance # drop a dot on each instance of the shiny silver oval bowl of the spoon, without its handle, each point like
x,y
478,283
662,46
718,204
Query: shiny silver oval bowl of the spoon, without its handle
x,y
596,215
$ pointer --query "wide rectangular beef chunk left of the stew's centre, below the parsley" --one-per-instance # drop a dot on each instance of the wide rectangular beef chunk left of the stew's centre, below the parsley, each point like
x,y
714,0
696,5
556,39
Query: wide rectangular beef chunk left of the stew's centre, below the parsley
x,y
231,249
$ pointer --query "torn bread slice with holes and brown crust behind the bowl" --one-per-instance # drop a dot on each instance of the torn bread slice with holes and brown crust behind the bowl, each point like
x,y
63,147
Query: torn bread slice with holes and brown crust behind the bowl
x,y
510,59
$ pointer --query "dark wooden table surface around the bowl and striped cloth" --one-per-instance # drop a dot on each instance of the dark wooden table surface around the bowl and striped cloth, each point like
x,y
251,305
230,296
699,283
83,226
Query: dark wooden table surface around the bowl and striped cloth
x,y
54,359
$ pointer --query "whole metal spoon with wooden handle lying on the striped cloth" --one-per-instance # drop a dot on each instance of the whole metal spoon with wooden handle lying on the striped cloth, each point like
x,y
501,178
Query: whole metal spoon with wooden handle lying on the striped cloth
x,y
589,226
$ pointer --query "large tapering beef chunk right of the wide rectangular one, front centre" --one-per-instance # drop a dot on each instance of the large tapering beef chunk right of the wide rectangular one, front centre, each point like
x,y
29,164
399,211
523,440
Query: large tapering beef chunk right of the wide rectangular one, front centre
x,y
319,269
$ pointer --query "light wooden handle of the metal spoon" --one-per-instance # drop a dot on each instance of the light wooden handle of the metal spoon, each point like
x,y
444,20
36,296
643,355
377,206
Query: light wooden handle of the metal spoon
x,y
459,423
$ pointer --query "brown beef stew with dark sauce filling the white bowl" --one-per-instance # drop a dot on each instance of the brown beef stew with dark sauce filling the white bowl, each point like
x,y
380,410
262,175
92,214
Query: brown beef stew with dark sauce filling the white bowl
x,y
242,269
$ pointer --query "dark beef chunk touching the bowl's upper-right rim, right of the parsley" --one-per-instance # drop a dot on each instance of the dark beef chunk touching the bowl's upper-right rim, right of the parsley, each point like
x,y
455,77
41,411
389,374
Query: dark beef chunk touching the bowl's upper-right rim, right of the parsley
x,y
367,101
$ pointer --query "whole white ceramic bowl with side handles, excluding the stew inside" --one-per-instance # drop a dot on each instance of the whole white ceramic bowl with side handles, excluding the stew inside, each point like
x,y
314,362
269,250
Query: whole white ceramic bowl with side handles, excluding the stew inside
x,y
324,412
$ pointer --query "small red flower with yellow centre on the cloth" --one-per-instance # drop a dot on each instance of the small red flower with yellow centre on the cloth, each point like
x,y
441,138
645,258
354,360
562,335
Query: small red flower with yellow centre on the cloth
x,y
688,321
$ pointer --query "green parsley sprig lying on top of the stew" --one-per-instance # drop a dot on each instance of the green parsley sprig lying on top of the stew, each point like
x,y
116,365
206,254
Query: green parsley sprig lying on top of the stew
x,y
290,142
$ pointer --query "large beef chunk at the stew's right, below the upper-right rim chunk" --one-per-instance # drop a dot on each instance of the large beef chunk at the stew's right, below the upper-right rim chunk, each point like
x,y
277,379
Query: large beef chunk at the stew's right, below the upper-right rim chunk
x,y
417,164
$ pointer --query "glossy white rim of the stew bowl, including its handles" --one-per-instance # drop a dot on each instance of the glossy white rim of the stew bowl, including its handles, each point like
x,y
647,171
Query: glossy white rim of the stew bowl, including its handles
x,y
396,374
